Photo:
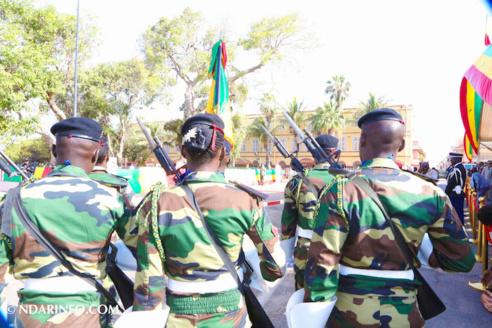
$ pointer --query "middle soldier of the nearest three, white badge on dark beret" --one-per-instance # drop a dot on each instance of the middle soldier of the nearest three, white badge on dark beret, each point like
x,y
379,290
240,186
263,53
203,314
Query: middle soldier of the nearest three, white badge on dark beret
x,y
201,291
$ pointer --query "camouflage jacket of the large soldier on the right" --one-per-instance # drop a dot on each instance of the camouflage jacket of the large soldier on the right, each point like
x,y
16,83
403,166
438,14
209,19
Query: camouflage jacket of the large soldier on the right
x,y
351,230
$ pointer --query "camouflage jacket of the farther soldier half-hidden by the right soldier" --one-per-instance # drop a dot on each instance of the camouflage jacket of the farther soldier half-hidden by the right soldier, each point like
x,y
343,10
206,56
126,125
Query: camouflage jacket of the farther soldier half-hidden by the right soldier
x,y
300,202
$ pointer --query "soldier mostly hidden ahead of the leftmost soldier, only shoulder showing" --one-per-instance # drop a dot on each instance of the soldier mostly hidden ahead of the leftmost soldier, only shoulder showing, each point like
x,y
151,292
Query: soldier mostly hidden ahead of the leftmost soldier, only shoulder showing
x,y
101,175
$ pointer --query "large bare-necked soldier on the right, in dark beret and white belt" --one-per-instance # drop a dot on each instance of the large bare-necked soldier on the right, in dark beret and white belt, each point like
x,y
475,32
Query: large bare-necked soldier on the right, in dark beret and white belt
x,y
353,253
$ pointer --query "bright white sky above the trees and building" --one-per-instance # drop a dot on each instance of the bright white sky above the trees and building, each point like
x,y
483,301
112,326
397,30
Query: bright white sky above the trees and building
x,y
410,52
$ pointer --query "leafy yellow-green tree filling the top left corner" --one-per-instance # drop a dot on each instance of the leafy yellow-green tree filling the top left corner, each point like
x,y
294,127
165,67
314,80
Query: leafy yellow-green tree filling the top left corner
x,y
36,57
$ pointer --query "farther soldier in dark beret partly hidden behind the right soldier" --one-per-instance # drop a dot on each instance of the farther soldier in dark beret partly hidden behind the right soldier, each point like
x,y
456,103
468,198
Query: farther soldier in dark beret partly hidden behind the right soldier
x,y
299,205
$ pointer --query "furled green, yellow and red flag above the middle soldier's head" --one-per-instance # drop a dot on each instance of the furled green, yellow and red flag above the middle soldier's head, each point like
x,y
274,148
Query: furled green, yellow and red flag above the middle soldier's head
x,y
218,100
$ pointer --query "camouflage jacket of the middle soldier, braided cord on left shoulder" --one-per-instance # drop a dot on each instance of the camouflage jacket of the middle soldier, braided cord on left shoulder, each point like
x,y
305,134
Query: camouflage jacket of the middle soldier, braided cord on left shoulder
x,y
186,249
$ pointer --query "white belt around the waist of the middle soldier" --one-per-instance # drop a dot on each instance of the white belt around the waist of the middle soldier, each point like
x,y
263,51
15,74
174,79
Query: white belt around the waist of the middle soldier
x,y
223,283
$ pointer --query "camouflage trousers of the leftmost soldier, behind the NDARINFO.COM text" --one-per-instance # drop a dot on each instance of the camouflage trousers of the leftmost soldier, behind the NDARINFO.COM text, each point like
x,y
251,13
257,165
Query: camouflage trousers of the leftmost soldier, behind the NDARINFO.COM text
x,y
46,309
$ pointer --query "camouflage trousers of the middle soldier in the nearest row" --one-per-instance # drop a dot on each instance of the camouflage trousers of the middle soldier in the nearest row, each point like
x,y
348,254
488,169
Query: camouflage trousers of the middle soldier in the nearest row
x,y
232,319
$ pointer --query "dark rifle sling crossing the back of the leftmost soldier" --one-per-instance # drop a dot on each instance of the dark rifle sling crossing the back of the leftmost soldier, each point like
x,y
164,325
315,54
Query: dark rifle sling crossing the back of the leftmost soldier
x,y
54,250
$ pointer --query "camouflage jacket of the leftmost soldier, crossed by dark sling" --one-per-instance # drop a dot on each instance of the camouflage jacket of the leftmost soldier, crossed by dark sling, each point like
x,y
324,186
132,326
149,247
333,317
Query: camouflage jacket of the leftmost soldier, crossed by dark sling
x,y
76,214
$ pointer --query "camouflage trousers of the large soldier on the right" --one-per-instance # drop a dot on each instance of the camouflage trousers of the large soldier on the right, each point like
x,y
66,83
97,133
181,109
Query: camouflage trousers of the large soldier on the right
x,y
375,310
